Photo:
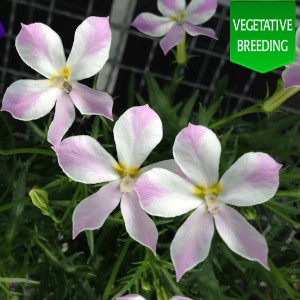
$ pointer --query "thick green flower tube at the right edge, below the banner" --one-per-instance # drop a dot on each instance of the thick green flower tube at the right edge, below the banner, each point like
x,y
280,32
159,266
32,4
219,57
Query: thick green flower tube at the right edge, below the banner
x,y
278,98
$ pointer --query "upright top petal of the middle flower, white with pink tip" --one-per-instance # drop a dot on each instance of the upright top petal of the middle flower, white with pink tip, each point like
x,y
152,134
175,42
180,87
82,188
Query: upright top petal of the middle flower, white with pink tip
x,y
137,133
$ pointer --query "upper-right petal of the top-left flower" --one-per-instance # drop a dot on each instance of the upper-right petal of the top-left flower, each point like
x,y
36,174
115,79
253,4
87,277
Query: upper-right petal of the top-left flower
x,y
90,49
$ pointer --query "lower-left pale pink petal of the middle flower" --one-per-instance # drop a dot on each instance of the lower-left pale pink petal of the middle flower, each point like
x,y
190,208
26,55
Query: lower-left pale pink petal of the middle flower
x,y
92,212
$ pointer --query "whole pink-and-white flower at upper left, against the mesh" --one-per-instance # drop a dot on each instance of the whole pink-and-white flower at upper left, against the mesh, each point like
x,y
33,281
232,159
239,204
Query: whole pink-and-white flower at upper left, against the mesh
x,y
41,48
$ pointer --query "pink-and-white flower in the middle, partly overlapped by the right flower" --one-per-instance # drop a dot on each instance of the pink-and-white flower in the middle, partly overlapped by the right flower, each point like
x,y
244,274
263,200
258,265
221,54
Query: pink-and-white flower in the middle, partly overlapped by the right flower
x,y
82,158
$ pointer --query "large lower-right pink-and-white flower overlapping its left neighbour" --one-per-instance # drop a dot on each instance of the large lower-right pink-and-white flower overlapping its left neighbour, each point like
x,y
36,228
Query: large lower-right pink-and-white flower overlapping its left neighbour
x,y
251,180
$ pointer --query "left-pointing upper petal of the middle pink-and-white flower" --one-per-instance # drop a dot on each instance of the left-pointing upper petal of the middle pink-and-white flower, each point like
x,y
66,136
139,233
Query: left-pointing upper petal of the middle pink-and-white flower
x,y
83,159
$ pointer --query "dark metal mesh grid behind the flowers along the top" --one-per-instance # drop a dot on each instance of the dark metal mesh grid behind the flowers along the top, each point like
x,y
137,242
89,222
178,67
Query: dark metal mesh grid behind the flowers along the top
x,y
140,52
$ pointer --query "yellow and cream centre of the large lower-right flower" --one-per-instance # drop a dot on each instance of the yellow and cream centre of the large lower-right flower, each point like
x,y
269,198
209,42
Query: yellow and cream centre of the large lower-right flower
x,y
209,195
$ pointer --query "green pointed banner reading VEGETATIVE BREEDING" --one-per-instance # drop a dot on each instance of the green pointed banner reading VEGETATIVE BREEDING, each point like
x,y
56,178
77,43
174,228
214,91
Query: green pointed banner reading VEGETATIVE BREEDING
x,y
262,34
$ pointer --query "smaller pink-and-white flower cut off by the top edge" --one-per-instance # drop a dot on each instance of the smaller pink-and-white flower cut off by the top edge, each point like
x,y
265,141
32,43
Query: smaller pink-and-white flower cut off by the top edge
x,y
177,19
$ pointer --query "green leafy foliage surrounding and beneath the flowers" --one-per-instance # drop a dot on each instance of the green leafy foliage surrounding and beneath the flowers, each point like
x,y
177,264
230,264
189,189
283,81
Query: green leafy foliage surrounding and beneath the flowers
x,y
40,260
